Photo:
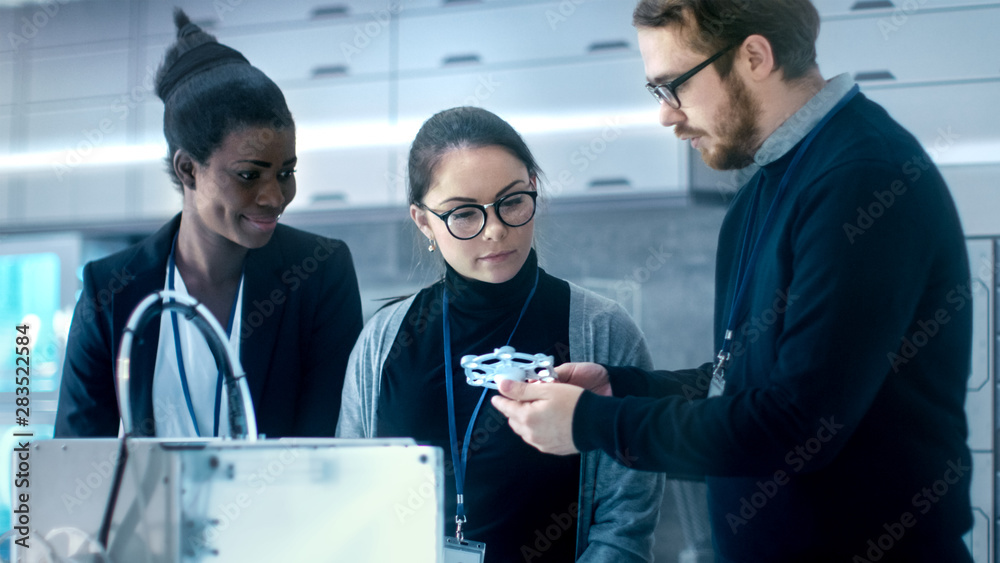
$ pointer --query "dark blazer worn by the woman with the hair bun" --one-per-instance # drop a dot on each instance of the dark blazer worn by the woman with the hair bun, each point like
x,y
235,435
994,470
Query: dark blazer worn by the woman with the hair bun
x,y
301,315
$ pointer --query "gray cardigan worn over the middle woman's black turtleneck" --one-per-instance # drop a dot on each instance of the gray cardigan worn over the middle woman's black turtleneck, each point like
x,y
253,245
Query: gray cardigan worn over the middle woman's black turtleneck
x,y
618,507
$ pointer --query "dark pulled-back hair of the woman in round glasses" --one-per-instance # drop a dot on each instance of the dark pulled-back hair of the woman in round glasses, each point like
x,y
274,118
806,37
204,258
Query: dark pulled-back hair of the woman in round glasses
x,y
460,128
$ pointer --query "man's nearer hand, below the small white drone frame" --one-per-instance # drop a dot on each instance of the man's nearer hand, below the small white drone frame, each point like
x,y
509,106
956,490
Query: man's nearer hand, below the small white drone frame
x,y
541,413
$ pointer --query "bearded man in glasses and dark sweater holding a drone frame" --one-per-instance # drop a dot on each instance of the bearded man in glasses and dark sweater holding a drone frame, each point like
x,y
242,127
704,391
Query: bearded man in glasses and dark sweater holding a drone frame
x,y
831,424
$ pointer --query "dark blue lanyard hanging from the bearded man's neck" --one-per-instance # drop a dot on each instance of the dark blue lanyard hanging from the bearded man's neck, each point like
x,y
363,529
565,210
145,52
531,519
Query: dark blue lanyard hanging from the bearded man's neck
x,y
747,262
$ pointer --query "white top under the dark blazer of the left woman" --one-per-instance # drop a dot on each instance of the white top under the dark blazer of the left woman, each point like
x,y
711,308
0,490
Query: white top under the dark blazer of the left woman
x,y
170,410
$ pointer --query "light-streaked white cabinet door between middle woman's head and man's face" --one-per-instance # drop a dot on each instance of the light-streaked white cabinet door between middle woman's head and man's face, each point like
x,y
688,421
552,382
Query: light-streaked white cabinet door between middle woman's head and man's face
x,y
588,122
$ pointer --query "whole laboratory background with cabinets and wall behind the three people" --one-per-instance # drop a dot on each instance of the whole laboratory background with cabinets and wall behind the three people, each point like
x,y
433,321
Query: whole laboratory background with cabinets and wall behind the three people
x,y
629,211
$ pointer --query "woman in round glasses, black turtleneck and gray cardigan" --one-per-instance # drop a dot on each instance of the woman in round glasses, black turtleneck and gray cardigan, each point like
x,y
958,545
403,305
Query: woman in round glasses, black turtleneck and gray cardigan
x,y
473,189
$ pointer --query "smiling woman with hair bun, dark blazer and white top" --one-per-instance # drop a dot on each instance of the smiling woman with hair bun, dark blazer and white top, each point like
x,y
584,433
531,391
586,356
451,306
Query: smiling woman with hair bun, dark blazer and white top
x,y
288,299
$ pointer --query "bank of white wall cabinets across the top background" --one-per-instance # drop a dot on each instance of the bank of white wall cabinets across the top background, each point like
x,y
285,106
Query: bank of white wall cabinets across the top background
x,y
566,73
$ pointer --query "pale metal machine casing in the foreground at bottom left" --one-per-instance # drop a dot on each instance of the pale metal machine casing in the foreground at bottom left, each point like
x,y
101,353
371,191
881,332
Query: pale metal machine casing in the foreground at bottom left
x,y
236,501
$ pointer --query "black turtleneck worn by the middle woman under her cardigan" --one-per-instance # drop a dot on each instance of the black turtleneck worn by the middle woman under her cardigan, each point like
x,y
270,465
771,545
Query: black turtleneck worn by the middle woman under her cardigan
x,y
520,502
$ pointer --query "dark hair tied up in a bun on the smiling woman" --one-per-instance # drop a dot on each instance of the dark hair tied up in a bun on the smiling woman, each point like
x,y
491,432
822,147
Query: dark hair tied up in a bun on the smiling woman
x,y
210,90
